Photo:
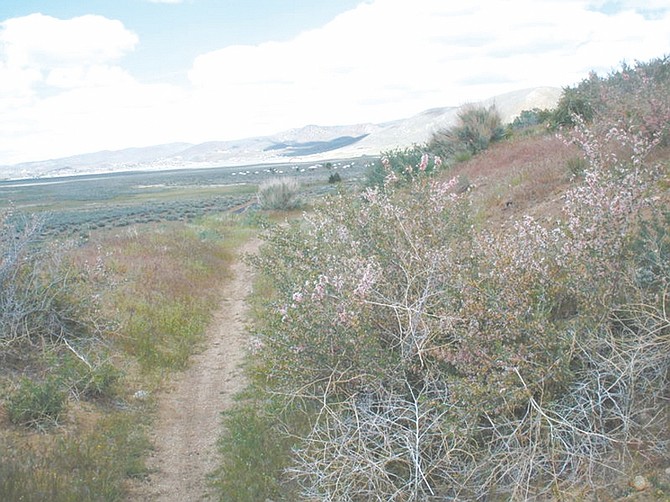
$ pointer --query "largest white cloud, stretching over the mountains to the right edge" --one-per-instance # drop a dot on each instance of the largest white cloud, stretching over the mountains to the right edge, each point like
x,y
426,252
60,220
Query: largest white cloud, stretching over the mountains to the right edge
x,y
389,58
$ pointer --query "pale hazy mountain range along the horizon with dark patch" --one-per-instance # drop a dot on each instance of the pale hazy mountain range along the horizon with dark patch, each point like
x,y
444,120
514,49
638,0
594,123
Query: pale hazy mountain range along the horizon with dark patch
x,y
311,143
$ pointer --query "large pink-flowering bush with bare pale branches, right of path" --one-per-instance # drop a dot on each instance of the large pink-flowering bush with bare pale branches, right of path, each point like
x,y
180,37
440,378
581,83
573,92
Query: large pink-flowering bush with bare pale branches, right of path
x,y
434,358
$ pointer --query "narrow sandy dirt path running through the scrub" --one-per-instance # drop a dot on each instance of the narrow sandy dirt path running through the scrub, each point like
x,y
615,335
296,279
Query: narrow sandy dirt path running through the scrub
x,y
188,421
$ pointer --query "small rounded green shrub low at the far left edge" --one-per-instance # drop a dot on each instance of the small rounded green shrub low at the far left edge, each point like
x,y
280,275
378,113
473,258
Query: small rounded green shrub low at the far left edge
x,y
36,403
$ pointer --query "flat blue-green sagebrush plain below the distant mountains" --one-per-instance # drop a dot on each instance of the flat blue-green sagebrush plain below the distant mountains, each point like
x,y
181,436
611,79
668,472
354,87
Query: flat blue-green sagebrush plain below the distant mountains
x,y
77,205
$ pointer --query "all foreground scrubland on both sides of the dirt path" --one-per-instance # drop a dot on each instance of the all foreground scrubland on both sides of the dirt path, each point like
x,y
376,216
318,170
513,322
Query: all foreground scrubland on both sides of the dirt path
x,y
484,317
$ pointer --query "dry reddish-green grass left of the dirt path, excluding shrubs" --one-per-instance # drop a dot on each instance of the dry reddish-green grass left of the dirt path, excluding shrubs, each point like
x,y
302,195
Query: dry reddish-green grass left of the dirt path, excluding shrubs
x,y
155,287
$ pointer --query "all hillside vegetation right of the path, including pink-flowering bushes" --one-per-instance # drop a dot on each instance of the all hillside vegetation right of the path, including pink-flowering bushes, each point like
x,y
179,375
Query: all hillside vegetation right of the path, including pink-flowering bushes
x,y
479,328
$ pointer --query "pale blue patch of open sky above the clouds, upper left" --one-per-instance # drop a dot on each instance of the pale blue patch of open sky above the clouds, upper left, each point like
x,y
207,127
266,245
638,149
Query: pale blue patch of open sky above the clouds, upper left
x,y
172,34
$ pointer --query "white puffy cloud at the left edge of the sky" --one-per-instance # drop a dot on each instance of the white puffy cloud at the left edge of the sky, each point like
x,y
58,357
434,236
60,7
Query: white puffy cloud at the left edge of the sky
x,y
62,89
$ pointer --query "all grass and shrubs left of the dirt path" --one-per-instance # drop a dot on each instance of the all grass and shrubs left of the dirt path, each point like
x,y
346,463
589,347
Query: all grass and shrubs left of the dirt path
x,y
89,334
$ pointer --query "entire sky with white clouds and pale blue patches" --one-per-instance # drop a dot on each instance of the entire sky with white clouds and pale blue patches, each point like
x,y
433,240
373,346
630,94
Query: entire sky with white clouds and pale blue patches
x,y
80,76
